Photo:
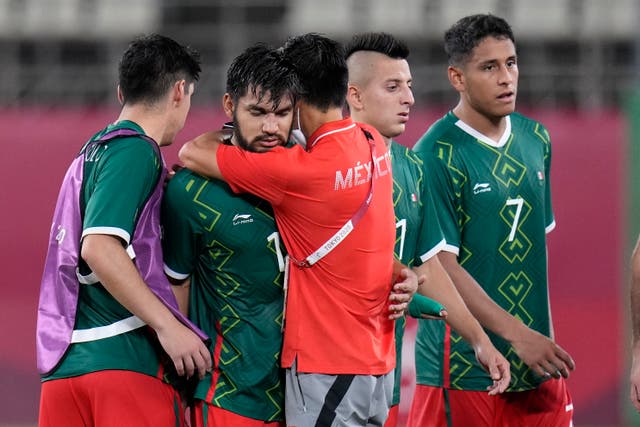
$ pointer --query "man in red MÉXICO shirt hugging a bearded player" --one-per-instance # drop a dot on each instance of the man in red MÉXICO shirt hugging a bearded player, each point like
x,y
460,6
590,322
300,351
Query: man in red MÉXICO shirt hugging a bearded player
x,y
332,203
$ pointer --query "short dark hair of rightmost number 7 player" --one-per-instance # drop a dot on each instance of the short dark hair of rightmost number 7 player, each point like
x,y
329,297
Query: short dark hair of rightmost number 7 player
x,y
468,32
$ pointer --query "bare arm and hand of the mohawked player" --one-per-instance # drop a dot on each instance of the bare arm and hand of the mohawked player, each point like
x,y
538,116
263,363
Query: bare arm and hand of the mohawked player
x,y
438,286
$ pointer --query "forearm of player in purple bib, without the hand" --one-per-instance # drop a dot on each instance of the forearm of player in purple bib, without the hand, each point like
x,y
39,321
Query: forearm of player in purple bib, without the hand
x,y
109,261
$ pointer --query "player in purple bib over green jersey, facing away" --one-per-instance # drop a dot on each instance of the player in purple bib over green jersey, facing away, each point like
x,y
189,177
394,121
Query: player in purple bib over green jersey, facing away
x,y
103,329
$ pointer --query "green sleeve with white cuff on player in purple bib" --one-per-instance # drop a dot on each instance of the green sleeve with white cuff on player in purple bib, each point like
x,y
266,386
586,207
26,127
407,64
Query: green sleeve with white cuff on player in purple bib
x,y
125,176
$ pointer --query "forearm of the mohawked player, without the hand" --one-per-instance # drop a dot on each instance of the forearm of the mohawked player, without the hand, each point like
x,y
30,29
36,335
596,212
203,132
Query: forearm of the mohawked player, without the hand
x,y
438,286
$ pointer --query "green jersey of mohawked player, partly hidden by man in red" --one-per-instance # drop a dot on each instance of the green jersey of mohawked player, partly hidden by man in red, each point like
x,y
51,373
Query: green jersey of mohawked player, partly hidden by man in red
x,y
415,216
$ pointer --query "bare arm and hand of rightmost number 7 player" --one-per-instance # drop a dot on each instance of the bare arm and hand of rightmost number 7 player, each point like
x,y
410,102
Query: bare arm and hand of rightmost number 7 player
x,y
539,352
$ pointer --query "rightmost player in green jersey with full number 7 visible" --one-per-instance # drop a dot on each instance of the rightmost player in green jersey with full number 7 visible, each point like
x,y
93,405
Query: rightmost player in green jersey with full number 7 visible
x,y
488,169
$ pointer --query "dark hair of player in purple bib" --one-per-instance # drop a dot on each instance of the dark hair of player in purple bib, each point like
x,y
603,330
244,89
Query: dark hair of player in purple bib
x,y
152,64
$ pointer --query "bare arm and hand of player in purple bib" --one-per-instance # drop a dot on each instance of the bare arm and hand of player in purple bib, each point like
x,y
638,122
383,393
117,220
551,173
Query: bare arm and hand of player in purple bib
x,y
107,258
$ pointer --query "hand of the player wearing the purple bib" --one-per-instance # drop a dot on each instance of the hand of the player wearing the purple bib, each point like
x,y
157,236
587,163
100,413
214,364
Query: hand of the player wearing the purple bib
x,y
186,350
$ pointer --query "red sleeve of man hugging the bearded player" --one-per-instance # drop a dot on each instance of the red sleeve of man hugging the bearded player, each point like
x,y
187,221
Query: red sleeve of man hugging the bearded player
x,y
263,174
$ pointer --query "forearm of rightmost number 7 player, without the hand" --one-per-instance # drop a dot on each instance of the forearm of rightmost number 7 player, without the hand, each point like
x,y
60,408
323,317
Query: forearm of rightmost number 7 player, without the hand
x,y
483,308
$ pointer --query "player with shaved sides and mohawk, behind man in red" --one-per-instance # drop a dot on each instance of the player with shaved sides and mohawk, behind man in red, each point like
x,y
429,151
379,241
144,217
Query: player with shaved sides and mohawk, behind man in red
x,y
380,94
